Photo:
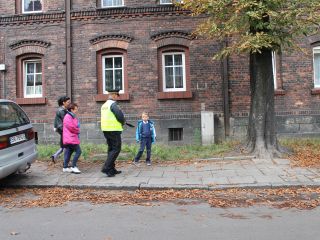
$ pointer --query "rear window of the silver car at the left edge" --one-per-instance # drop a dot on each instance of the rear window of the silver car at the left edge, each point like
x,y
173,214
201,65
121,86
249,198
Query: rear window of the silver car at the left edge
x,y
11,116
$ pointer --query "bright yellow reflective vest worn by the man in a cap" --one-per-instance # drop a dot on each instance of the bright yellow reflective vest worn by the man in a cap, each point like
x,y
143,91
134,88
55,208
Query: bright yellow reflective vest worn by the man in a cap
x,y
109,121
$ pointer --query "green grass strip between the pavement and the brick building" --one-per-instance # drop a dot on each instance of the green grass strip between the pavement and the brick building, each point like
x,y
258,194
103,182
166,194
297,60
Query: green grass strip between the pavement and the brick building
x,y
160,152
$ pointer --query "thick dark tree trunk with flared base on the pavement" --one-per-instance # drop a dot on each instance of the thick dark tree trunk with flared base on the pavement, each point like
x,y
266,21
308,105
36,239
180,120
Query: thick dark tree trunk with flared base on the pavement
x,y
261,137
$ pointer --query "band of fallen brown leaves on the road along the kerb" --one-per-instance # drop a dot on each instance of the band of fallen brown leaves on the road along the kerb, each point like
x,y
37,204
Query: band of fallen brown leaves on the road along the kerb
x,y
301,198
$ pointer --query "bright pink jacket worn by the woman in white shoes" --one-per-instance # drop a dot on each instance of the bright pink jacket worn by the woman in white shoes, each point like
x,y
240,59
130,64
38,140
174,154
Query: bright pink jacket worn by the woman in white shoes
x,y
71,130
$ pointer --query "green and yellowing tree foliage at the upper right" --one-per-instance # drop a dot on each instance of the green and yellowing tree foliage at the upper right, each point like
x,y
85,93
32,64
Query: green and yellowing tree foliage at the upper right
x,y
256,24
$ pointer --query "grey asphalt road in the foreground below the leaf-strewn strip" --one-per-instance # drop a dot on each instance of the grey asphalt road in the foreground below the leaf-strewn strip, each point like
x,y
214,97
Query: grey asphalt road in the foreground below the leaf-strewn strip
x,y
183,220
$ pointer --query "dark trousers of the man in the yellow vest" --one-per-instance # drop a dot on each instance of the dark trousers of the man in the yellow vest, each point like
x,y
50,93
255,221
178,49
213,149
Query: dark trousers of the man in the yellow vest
x,y
114,148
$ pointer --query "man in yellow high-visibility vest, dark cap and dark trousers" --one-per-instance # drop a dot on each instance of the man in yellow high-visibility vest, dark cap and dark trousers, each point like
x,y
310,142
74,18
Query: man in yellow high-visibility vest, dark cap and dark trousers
x,y
112,120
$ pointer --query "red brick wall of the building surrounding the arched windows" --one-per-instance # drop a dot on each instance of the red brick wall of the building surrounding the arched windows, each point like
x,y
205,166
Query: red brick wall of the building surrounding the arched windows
x,y
205,74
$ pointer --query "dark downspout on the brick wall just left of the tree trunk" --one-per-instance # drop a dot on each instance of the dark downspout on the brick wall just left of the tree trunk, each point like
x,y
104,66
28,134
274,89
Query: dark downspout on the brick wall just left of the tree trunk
x,y
225,90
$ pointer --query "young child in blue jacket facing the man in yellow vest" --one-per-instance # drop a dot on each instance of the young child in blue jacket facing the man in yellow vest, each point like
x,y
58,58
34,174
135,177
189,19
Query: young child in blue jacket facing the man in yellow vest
x,y
146,135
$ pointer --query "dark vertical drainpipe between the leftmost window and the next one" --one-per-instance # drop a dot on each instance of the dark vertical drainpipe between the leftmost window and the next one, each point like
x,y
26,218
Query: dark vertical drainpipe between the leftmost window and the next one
x,y
68,49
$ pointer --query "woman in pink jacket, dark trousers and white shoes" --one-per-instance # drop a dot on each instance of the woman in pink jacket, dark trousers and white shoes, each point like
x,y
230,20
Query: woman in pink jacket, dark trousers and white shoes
x,y
71,141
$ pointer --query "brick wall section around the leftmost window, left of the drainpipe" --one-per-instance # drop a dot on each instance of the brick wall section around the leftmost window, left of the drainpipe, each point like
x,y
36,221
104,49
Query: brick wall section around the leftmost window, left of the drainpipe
x,y
54,56
